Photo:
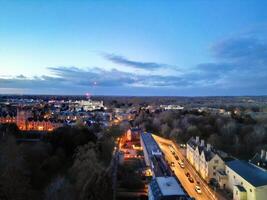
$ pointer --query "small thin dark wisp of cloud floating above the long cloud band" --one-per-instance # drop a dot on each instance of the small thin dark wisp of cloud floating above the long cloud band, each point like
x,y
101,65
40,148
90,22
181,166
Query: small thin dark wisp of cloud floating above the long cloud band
x,y
135,64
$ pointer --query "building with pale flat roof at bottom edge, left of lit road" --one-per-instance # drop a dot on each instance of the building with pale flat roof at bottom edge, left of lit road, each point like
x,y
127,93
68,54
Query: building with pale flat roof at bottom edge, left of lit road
x,y
162,188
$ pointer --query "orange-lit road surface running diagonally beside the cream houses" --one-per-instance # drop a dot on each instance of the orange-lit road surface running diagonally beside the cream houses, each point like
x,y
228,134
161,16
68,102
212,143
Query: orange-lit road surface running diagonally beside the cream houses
x,y
206,192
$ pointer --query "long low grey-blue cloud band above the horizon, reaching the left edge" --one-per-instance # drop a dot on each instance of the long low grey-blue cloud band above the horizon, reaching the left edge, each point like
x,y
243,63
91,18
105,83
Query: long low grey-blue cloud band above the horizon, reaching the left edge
x,y
75,80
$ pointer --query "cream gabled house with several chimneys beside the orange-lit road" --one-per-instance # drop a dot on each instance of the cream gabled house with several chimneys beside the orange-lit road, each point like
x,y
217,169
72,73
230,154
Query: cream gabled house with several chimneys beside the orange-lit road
x,y
204,159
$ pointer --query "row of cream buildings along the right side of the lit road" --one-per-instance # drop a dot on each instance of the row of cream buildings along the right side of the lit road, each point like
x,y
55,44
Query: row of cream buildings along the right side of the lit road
x,y
244,179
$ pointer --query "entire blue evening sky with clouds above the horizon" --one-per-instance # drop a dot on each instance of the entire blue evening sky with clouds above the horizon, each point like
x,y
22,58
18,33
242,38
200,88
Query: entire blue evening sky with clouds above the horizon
x,y
184,48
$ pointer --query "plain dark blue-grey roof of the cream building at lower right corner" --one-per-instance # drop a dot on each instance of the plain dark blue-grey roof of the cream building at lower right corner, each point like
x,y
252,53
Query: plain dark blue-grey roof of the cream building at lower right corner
x,y
251,173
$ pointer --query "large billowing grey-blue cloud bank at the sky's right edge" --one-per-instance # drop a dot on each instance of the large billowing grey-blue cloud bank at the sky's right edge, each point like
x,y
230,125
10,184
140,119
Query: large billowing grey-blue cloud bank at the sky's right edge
x,y
240,64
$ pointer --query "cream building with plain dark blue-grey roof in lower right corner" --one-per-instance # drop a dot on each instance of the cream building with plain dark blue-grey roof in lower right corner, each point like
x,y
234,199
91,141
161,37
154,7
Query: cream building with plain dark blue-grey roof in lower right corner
x,y
246,180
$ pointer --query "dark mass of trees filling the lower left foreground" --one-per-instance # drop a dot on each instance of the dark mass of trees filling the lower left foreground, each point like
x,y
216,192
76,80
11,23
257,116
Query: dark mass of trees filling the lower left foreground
x,y
66,164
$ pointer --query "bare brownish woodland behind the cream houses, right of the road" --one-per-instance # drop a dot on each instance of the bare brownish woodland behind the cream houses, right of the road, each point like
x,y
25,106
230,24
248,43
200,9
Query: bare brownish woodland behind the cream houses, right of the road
x,y
237,134
